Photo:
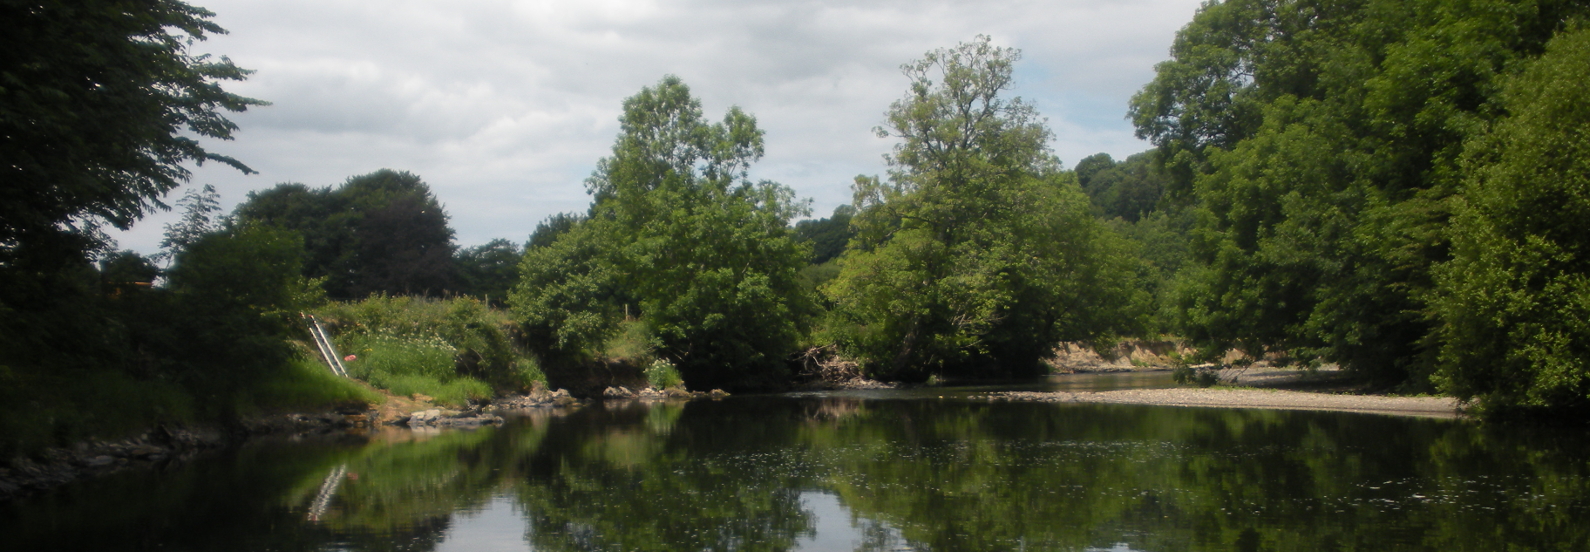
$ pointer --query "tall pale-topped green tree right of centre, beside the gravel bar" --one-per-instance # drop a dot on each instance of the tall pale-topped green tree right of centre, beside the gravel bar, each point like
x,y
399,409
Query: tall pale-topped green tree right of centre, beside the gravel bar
x,y
979,254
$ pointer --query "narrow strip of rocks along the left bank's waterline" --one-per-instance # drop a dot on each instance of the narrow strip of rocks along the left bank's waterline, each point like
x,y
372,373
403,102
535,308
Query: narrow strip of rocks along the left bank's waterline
x,y
174,445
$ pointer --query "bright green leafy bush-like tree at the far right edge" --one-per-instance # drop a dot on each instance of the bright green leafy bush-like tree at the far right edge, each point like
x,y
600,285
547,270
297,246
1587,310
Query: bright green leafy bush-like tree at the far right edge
x,y
1514,301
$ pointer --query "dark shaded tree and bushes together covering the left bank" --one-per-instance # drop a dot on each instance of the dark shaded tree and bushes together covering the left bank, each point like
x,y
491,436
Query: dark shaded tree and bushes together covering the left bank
x,y
103,106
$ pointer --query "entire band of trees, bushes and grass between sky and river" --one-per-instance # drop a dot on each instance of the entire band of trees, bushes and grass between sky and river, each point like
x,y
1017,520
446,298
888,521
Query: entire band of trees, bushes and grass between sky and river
x,y
1392,187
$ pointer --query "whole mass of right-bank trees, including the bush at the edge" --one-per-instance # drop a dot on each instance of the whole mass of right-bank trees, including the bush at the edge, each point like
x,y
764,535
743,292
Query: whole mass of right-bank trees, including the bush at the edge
x,y
1384,185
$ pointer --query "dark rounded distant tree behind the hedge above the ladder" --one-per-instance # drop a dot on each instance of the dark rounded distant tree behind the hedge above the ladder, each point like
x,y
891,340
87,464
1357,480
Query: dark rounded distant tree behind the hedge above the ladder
x,y
378,233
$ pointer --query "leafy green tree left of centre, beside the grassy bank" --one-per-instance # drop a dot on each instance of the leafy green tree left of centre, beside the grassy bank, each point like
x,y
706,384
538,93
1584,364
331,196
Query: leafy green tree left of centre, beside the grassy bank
x,y
680,227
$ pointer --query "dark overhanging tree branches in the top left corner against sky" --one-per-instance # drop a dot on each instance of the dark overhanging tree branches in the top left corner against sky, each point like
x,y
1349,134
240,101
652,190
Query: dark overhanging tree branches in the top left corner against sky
x,y
101,106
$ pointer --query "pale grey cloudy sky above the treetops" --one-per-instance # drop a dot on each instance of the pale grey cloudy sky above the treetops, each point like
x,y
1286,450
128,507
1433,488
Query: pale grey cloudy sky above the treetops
x,y
506,106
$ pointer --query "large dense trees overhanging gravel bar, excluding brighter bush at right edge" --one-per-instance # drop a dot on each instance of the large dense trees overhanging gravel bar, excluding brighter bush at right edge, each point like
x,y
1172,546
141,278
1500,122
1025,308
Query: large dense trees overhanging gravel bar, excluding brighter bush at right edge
x,y
1320,146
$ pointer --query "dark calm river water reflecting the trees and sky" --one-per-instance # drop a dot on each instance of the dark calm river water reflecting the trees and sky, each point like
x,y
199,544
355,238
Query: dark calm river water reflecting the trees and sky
x,y
856,472
